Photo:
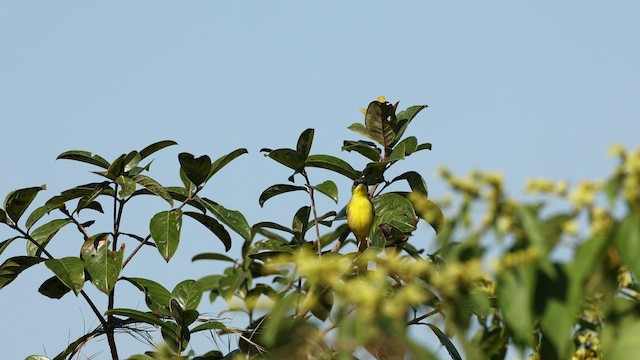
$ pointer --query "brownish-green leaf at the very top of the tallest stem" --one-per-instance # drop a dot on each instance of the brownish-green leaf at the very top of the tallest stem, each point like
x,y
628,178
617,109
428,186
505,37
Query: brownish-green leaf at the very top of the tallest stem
x,y
381,123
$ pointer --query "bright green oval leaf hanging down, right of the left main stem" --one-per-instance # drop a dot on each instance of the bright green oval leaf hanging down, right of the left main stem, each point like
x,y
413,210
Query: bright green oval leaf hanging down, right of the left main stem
x,y
165,229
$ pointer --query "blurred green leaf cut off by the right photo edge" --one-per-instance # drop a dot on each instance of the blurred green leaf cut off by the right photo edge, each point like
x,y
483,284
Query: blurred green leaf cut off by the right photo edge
x,y
627,241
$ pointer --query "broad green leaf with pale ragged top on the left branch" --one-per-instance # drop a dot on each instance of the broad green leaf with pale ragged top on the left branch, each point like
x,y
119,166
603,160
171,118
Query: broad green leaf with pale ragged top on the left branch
x,y
102,264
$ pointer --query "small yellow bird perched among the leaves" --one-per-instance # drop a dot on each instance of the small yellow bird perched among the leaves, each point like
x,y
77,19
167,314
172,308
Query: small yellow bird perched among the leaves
x,y
360,213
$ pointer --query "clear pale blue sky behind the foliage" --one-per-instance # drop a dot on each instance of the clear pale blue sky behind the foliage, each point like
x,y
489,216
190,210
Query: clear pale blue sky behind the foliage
x,y
530,88
